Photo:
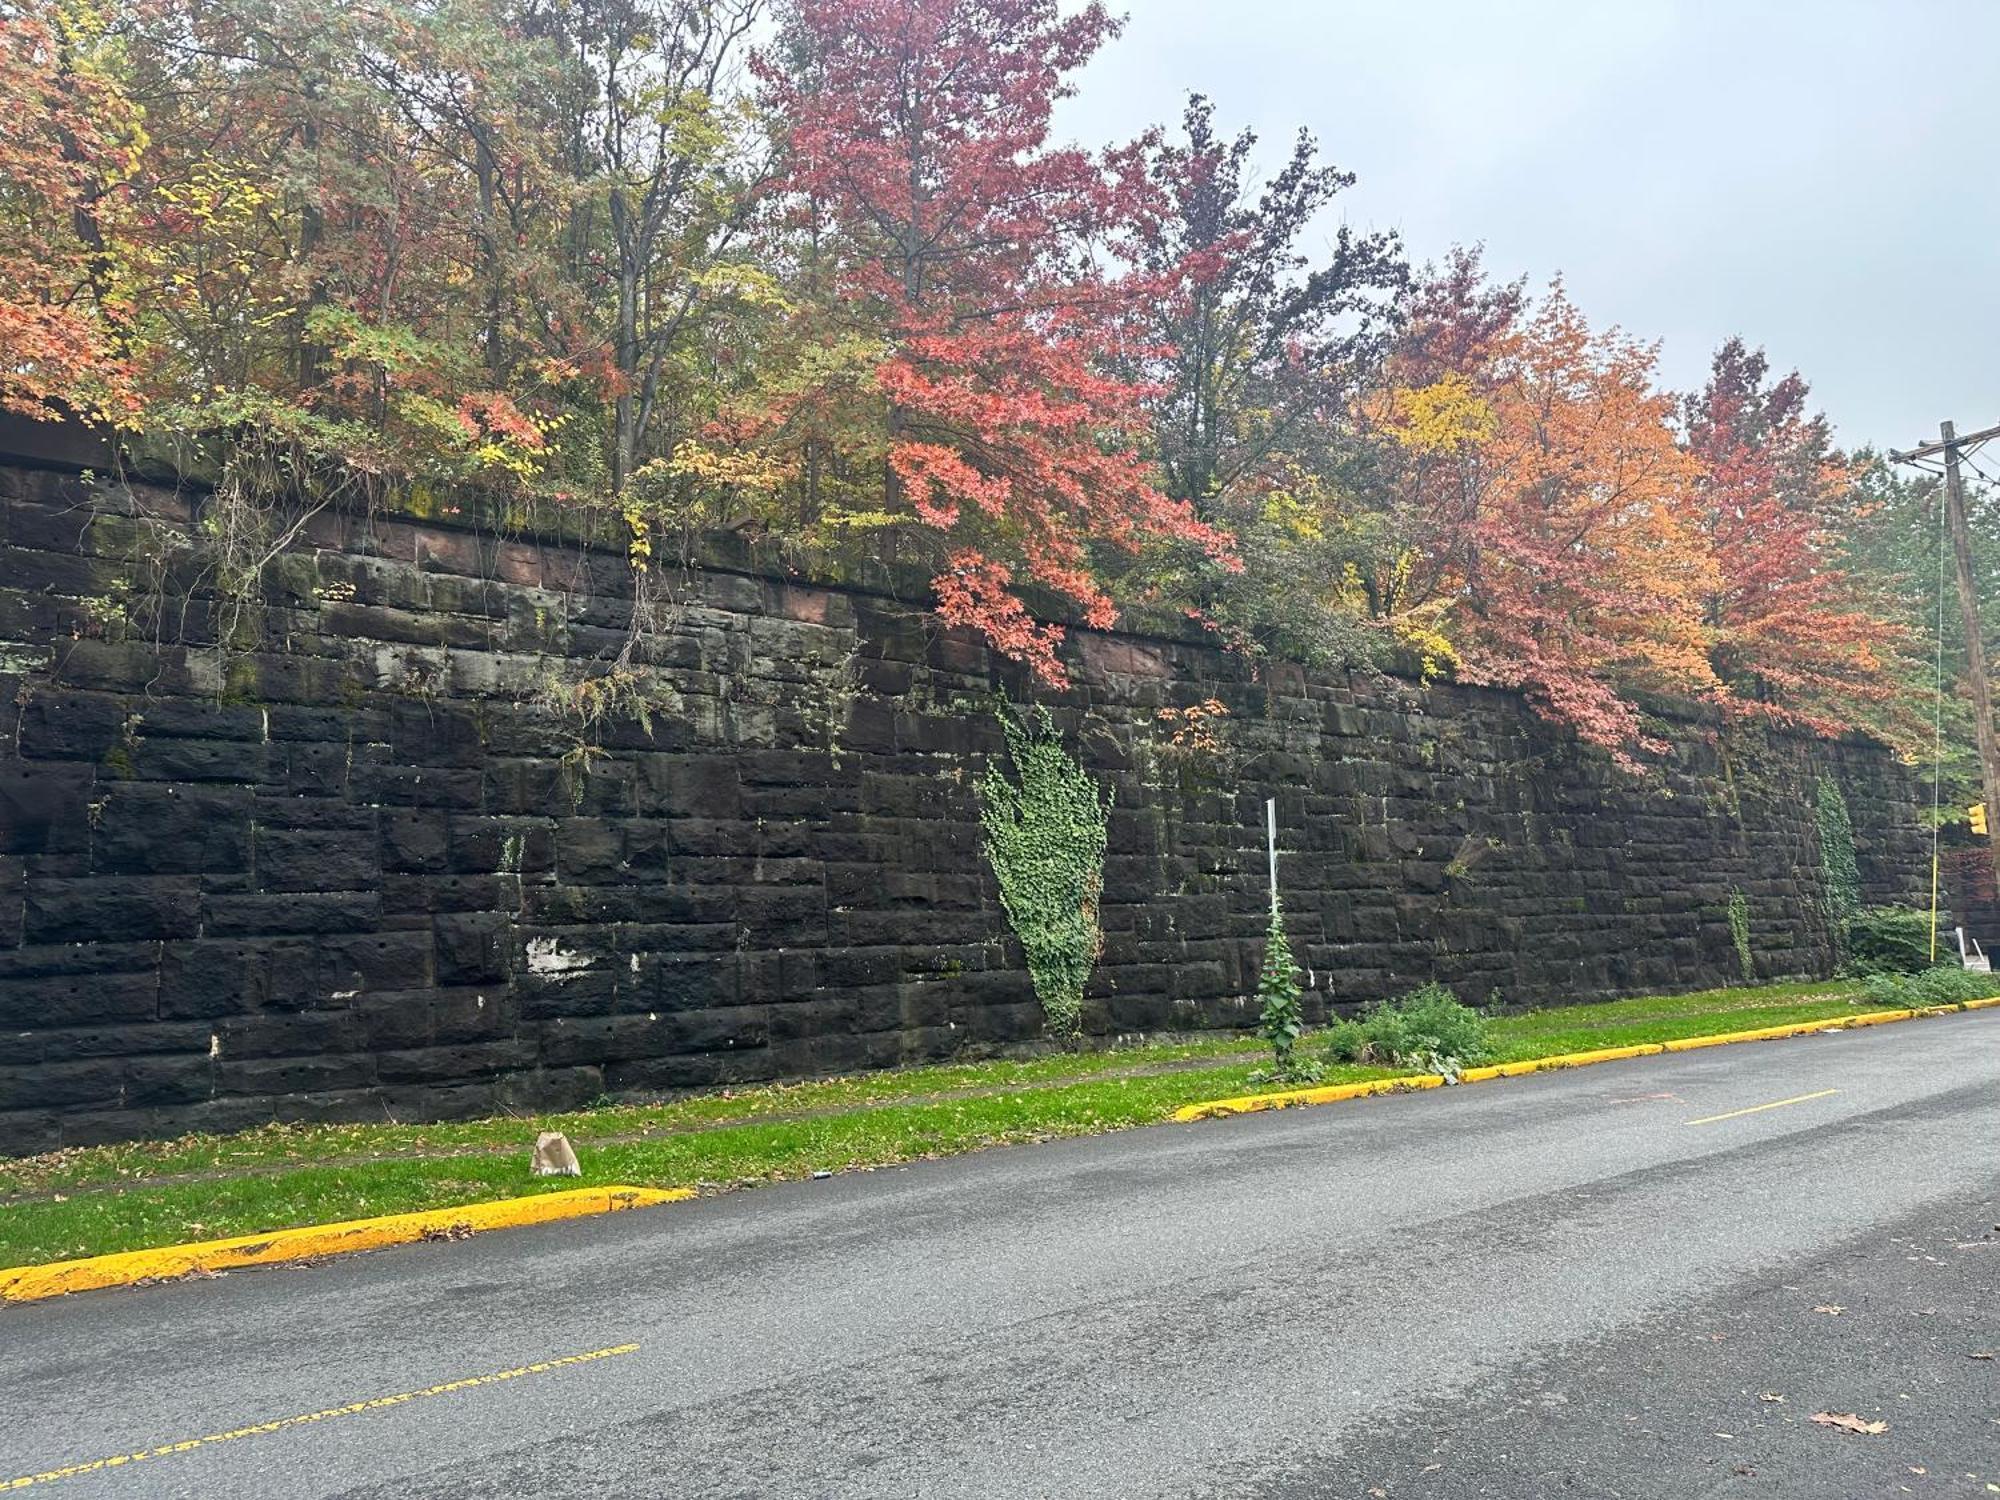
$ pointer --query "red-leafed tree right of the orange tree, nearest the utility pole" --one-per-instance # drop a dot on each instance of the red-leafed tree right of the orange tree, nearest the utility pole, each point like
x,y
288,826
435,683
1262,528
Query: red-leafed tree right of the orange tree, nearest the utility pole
x,y
1789,633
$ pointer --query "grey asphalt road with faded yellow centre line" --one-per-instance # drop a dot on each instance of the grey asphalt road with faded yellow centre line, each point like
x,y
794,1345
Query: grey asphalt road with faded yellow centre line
x,y
1573,1285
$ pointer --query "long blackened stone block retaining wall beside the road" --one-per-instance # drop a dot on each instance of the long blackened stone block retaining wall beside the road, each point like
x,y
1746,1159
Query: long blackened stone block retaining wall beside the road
x,y
351,873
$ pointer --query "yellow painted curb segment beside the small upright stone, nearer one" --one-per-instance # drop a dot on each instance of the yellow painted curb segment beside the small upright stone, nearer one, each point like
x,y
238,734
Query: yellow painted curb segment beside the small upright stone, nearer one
x,y
313,1241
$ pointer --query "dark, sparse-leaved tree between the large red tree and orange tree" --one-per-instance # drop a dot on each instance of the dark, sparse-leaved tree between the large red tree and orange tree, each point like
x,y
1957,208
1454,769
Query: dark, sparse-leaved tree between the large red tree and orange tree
x,y
1255,355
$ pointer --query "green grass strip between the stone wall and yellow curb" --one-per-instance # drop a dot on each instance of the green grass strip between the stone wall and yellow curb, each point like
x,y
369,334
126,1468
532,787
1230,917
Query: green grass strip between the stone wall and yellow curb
x,y
131,1197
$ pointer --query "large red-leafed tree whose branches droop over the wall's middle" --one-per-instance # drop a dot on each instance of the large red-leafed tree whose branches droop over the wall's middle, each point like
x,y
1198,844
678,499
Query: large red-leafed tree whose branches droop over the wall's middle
x,y
981,263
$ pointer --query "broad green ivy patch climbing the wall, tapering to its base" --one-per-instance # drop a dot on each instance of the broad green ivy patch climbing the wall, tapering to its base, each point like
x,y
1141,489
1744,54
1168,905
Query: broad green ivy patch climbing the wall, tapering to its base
x,y
1045,841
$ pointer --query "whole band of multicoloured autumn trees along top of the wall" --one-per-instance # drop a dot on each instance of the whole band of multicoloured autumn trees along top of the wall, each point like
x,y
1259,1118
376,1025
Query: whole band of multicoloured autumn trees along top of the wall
x,y
821,267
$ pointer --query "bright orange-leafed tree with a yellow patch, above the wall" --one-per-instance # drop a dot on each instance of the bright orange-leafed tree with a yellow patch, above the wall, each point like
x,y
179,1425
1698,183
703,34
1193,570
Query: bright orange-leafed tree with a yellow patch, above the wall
x,y
1549,499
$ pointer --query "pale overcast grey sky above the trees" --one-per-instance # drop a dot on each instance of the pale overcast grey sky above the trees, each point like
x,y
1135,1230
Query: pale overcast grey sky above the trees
x,y
1815,175
